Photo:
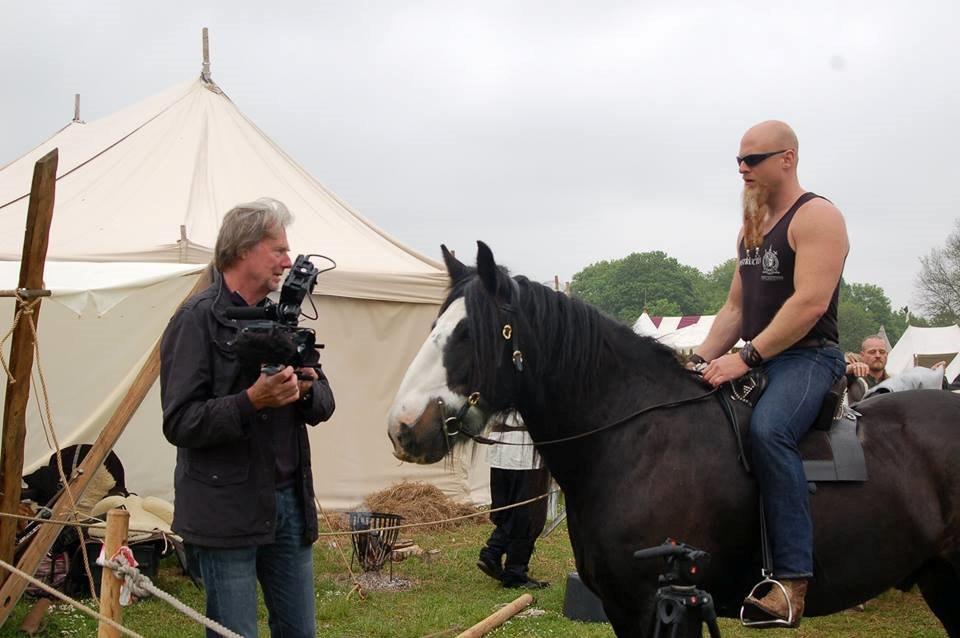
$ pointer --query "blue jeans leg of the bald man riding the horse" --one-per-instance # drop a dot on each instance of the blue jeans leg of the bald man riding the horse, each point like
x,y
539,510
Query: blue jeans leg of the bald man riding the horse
x,y
797,379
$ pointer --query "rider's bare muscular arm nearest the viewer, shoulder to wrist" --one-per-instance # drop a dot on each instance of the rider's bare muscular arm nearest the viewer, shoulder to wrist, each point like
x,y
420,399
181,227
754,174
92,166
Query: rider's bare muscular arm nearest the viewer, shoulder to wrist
x,y
818,236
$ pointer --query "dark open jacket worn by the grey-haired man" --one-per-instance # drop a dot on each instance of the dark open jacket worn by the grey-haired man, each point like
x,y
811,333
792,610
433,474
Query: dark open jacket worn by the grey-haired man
x,y
224,479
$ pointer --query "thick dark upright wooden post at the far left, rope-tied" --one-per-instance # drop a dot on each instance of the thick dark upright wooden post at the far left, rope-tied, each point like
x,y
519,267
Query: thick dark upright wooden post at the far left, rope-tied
x,y
32,260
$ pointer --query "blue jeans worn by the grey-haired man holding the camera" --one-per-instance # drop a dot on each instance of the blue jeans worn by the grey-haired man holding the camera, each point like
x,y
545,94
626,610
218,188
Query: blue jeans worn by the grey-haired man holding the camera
x,y
284,569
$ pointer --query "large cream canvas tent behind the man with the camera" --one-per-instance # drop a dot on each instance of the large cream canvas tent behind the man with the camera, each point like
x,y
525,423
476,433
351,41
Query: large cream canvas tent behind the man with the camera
x,y
140,195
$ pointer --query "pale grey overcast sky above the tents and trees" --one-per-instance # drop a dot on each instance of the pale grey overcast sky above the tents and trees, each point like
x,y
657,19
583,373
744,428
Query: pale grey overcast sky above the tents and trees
x,y
561,133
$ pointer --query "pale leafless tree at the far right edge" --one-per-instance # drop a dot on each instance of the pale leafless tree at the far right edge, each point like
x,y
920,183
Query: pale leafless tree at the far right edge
x,y
938,286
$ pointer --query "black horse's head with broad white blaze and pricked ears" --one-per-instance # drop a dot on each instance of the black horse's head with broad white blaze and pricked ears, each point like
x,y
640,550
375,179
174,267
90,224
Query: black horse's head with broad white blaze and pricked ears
x,y
463,374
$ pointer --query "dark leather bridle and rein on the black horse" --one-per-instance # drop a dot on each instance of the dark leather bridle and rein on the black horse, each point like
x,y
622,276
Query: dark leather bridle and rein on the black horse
x,y
453,424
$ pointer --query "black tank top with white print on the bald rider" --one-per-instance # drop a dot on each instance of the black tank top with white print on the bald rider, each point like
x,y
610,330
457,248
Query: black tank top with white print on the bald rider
x,y
766,274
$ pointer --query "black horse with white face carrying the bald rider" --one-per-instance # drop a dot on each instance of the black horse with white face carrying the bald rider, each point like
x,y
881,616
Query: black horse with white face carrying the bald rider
x,y
673,471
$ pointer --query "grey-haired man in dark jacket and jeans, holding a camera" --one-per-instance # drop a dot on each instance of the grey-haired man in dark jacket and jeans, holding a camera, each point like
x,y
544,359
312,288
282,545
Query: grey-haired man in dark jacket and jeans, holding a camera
x,y
244,488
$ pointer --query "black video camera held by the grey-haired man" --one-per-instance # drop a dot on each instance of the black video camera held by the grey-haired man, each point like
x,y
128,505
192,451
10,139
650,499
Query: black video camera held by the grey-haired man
x,y
271,337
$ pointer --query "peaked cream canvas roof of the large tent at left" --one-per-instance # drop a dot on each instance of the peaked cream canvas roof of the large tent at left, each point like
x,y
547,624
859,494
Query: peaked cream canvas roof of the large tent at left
x,y
152,182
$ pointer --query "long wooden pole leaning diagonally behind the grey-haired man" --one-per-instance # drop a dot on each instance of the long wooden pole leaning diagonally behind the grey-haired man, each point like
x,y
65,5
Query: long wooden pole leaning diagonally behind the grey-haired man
x,y
13,589
